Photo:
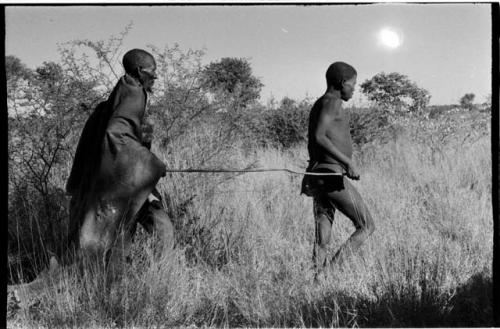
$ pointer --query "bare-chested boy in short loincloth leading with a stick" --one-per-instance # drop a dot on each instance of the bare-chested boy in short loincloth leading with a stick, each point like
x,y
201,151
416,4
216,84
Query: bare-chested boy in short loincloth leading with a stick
x,y
330,150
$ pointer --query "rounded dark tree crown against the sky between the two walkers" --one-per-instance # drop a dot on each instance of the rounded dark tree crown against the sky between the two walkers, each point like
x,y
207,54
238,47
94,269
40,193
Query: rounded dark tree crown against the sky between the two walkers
x,y
231,81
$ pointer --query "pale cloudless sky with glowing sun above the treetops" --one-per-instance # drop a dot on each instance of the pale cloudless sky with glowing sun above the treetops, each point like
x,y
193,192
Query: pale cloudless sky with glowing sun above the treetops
x,y
445,48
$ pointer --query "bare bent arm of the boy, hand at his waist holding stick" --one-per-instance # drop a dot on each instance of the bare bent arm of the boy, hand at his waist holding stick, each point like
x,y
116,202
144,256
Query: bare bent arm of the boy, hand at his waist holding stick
x,y
330,111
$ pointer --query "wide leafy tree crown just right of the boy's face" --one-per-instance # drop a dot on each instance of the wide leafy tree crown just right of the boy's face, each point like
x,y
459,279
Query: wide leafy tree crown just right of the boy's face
x,y
395,92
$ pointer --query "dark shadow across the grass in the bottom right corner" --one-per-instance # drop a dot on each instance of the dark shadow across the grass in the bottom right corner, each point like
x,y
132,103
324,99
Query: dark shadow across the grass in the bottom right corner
x,y
470,305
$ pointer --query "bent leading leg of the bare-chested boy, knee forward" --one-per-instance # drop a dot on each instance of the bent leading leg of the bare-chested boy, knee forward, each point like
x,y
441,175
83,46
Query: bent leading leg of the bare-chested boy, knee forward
x,y
351,204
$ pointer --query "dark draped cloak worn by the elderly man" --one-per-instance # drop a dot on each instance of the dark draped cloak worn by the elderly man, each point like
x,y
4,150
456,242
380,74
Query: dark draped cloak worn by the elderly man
x,y
112,173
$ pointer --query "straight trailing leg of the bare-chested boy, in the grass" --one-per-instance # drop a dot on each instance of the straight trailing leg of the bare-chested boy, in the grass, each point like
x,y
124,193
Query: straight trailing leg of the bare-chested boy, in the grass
x,y
324,212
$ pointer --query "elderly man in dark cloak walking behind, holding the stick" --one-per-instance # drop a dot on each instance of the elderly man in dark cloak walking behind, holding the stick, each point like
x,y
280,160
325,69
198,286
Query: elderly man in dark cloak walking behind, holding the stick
x,y
114,173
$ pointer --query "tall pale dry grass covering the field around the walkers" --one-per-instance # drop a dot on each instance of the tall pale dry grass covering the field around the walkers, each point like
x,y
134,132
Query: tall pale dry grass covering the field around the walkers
x,y
247,258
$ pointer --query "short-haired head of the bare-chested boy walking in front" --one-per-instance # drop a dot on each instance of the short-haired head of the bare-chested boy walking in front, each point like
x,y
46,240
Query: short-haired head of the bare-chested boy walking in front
x,y
342,76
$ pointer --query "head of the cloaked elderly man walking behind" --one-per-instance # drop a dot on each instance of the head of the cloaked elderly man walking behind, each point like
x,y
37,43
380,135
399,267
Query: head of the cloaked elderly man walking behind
x,y
141,65
